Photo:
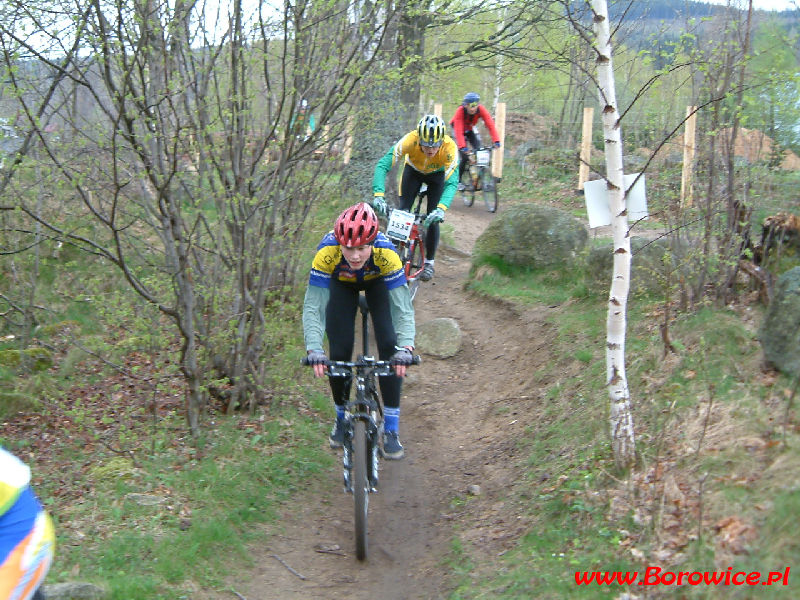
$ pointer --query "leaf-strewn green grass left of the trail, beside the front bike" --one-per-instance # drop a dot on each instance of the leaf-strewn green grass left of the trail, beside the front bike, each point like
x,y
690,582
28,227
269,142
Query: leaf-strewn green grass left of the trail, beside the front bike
x,y
155,527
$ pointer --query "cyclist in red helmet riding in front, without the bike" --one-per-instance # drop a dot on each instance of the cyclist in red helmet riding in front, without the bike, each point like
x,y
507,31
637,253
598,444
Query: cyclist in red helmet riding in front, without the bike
x,y
356,257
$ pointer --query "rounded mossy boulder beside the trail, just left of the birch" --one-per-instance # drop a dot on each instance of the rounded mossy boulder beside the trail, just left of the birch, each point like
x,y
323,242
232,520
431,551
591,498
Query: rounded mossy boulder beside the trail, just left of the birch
x,y
528,235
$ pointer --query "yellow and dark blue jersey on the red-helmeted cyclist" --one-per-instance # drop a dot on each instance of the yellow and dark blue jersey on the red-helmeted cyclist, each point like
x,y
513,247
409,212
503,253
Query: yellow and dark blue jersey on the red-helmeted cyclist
x,y
330,263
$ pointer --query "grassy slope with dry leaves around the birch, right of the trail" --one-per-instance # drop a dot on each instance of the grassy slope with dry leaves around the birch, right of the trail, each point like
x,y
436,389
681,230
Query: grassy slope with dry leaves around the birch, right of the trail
x,y
710,428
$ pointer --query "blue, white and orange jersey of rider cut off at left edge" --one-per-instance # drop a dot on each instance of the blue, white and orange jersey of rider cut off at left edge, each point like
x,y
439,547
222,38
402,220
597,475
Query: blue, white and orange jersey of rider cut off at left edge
x,y
26,532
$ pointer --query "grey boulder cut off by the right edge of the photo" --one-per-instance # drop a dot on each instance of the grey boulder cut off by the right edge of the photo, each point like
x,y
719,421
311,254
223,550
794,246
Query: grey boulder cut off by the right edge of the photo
x,y
780,331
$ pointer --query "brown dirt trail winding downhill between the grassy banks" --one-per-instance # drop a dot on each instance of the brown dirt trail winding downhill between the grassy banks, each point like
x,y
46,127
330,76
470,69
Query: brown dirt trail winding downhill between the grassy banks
x,y
454,436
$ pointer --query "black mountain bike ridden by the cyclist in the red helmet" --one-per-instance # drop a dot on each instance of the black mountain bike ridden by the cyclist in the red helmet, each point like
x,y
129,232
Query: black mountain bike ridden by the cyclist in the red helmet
x,y
363,427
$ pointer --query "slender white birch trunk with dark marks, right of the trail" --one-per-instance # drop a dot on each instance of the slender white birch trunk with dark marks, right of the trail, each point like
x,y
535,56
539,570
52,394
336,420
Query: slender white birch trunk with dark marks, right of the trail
x,y
622,434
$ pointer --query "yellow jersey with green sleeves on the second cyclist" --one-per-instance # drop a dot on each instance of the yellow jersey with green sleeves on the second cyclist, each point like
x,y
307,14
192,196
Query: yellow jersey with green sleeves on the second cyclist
x,y
408,149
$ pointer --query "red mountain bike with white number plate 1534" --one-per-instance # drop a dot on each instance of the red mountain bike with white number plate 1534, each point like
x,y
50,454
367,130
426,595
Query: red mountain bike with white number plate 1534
x,y
407,232
